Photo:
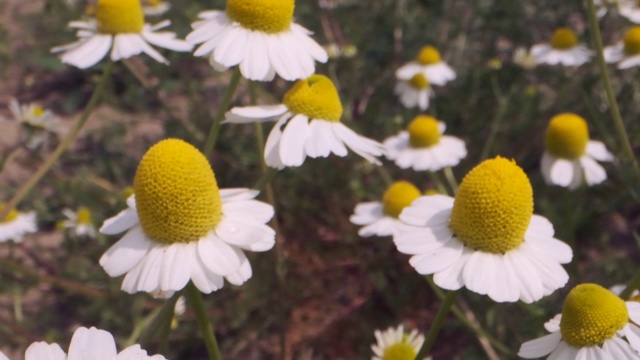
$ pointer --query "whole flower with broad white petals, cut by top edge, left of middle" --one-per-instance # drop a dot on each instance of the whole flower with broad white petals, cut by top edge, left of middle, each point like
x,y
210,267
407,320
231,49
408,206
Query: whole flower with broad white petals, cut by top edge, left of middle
x,y
259,36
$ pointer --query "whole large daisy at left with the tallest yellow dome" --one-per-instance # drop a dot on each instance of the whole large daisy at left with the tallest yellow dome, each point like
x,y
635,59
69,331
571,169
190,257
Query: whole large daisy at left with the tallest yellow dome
x,y
180,226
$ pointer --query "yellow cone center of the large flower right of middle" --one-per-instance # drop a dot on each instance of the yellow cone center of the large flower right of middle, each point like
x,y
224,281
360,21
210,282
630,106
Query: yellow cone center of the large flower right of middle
x,y
493,207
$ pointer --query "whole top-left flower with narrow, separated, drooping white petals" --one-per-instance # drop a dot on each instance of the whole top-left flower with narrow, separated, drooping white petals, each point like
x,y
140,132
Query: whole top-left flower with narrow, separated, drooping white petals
x,y
118,27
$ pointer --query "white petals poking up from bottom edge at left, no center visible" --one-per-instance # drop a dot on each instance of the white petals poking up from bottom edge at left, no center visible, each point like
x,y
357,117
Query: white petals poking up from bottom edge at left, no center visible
x,y
87,344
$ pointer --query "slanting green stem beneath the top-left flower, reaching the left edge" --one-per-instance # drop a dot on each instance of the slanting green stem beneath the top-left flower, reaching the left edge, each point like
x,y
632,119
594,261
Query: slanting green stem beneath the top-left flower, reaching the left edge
x,y
66,142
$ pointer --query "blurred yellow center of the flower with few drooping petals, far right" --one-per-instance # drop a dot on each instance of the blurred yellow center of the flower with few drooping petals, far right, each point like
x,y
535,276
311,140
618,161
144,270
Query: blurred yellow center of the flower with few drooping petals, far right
x,y
567,136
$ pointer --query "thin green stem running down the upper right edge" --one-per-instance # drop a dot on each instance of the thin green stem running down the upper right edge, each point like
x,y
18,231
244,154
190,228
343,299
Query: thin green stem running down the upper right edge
x,y
618,124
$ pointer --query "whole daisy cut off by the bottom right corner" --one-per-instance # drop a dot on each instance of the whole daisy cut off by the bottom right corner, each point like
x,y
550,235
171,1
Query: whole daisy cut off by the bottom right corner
x,y
593,326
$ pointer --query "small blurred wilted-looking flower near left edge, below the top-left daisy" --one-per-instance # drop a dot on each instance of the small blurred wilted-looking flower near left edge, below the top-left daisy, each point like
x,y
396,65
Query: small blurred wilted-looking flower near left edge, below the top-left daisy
x,y
37,124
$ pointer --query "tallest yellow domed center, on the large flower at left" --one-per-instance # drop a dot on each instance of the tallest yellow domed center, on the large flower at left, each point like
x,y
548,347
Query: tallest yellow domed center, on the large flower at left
x,y
177,196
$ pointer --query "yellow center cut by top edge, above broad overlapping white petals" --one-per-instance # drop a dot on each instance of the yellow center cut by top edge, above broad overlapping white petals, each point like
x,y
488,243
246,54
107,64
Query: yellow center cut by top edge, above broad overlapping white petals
x,y
269,16
